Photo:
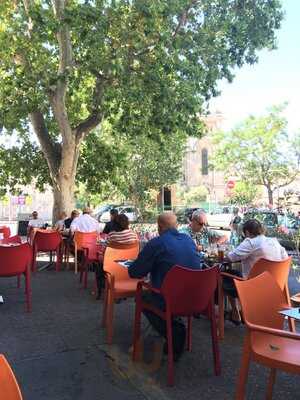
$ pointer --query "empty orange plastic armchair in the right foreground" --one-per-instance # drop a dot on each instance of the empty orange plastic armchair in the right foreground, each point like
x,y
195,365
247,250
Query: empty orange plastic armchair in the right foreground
x,y
266,342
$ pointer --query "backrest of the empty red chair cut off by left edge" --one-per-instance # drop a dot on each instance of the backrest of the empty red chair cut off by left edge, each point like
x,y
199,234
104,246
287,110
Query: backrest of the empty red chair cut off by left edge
x,y
14,259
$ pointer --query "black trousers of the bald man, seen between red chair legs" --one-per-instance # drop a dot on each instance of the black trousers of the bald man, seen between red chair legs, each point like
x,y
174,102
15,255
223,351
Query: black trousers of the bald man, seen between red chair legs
x,y
178,327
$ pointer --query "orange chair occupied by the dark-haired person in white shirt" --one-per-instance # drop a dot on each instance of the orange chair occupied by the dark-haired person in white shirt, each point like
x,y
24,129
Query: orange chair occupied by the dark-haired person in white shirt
x,y
280,272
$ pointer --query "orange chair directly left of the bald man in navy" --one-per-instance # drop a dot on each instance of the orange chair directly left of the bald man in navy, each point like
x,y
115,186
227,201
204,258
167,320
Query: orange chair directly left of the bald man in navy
x,y
118,284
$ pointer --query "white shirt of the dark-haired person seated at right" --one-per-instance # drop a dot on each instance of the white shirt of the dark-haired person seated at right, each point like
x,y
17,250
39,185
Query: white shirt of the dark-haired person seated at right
x,y
252,249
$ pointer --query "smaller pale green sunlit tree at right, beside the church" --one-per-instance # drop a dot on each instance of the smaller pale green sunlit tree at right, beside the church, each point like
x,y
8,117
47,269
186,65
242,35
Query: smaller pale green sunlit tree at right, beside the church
x,y
259,152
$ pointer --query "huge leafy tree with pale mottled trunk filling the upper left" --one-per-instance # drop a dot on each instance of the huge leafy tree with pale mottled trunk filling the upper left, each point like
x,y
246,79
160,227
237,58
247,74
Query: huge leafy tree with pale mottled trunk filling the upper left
x,y
147,67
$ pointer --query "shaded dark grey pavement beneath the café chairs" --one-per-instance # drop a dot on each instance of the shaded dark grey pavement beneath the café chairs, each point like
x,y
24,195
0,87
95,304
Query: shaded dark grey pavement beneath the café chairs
x,y
58,352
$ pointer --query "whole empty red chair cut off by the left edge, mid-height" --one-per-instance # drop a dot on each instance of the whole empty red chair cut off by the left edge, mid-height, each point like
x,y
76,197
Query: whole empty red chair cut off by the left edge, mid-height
x,y
16,261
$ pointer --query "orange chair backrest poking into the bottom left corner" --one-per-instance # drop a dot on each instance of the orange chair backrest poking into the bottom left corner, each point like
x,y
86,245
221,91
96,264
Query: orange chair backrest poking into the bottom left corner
x,y
9,388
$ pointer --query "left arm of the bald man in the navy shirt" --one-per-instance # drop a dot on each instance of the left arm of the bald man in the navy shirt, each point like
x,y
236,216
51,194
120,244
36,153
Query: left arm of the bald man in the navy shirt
x,y
144,263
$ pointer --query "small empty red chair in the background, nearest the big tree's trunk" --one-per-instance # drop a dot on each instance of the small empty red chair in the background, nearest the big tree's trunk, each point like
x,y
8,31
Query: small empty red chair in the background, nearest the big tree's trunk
x,y
47,241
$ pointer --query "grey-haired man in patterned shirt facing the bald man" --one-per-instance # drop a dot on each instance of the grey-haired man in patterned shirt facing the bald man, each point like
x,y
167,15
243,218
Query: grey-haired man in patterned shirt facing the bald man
x,y
200,233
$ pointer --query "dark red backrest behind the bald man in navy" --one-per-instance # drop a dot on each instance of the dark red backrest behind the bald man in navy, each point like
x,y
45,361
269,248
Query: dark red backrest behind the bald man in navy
x,y
189,291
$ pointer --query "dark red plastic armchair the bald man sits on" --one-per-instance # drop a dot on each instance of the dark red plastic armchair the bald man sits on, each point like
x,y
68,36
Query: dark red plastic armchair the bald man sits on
x,y
186,292
